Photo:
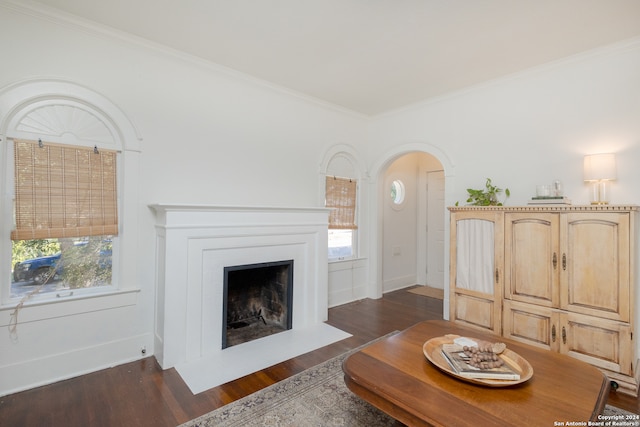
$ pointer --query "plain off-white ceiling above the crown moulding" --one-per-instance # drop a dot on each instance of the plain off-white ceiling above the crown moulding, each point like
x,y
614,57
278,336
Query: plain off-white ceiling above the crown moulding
x,y
370,56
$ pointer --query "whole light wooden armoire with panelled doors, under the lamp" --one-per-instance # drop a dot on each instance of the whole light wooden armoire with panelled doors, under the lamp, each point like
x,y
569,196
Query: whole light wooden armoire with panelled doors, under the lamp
x,y
561,278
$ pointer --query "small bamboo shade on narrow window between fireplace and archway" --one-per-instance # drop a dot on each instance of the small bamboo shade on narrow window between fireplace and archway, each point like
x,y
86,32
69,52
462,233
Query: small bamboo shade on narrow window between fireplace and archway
x,y
340,195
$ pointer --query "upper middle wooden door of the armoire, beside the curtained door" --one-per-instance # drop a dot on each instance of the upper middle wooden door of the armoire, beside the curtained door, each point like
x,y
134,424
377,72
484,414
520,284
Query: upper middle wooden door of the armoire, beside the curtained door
x,y
532,257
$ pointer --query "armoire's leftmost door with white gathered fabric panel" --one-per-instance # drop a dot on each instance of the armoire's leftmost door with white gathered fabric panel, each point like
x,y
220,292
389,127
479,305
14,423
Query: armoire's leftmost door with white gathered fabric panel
x,y
477,249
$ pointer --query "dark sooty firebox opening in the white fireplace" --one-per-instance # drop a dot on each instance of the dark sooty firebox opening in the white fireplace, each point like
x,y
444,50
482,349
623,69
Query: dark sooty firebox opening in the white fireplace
x,y
258,301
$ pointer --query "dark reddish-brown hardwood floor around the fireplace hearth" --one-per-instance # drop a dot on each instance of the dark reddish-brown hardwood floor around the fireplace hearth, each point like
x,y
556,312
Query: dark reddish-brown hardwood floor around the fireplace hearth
x,y
141,394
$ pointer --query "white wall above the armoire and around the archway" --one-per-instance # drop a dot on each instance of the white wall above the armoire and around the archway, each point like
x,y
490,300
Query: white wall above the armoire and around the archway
x,y
533,127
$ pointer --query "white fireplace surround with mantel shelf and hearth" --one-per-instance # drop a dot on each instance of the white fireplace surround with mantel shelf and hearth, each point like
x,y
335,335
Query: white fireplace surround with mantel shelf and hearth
x,y
194,244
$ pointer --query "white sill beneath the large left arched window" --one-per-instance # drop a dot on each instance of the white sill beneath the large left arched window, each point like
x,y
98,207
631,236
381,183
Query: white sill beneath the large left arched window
x,y
56,307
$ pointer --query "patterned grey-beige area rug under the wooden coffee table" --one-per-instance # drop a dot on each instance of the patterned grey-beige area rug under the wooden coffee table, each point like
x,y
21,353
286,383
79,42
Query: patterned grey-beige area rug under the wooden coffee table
x,y
315,397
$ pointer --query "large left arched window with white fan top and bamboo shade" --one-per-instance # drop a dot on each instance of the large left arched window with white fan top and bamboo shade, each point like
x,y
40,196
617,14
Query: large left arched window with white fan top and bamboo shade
x,y
64,150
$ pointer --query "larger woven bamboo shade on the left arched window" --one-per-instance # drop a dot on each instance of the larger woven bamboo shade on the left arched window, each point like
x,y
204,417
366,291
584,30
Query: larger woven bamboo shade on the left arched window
x,y
64,191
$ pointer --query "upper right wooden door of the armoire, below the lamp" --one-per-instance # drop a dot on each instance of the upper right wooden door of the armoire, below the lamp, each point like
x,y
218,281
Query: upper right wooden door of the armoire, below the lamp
x,y
595,270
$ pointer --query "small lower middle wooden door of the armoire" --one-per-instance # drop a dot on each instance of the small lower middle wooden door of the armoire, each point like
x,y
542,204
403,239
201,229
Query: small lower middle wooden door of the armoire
x,y
531,324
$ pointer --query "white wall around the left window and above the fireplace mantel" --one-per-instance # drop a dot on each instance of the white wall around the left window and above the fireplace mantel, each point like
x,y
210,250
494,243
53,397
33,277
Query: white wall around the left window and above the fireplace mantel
x,y
209,137
